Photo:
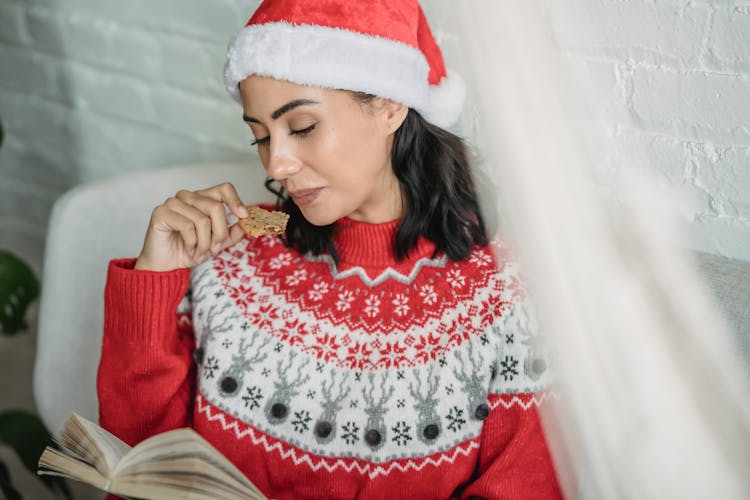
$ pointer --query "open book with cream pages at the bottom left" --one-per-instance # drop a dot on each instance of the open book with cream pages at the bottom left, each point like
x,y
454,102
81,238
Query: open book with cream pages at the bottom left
x,y
177,464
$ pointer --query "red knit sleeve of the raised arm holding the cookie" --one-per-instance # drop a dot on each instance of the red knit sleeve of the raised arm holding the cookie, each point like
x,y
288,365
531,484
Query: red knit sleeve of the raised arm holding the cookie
x,y
146,378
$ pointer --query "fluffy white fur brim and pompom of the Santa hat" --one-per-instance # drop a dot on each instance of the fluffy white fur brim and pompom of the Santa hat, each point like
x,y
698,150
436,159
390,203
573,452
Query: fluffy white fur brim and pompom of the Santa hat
x,y
341,59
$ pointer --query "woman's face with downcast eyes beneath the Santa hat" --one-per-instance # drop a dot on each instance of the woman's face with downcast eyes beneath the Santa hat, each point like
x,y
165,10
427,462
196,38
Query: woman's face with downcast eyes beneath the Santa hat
x,y
331,153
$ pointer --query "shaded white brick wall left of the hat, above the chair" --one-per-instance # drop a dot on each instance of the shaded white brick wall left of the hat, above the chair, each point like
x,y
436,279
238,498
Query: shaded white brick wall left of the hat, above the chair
x,y
90,89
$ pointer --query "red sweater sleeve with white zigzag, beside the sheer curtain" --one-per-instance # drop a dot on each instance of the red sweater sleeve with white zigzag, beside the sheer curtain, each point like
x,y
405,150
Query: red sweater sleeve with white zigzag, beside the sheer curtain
x,y
514,461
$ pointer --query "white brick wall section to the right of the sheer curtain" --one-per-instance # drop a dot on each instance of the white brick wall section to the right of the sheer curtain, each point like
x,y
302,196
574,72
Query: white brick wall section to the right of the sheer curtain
x,y
675,76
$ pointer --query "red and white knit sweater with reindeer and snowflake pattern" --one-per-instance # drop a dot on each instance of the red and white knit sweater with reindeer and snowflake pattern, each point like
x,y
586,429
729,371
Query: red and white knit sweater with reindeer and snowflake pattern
x,y
370,378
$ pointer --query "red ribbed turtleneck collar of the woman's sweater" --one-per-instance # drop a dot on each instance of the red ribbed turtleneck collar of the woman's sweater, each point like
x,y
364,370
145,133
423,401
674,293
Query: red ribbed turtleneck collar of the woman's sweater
x,y
364,244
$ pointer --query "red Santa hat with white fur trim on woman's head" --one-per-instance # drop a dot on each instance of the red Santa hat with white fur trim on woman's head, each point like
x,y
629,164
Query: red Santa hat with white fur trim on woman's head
x,y
381,47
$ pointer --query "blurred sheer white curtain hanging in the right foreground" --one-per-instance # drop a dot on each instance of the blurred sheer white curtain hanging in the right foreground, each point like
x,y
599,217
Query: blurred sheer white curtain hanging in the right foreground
x,y
652,402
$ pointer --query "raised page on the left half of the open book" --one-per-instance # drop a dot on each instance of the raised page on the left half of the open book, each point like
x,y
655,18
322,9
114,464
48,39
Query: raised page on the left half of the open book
x,y
93,444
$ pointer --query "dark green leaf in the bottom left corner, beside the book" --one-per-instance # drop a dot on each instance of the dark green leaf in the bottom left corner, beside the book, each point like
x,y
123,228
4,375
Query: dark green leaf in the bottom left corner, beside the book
x,y
27,436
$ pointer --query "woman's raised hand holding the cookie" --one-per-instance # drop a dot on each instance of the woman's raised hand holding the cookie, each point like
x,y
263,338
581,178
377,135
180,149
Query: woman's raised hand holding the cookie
x,y
189,227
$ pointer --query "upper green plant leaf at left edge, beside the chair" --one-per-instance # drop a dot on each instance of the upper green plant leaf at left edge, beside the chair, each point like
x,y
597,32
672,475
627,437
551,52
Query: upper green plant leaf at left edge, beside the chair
x,y
18,289
